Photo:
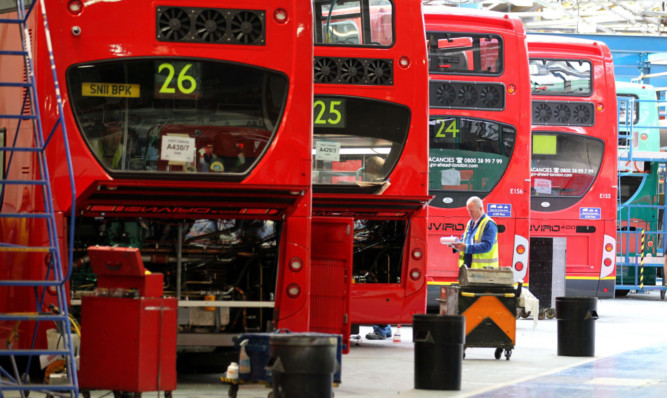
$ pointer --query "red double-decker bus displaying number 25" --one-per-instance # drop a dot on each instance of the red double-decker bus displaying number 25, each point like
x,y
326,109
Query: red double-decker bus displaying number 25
x,y
370,148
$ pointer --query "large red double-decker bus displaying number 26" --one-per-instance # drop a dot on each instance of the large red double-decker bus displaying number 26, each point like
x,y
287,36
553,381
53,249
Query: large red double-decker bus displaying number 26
x,y
190,142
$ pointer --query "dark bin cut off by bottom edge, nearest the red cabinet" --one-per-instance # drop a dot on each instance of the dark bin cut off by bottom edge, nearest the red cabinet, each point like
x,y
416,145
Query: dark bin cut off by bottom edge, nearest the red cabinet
x,y
303,365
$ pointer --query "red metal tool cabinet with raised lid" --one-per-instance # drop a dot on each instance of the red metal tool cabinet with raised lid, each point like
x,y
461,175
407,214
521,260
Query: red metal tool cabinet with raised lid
x,y
128,343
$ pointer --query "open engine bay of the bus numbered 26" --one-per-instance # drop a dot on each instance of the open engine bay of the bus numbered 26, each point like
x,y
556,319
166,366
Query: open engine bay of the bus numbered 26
x,y
229,264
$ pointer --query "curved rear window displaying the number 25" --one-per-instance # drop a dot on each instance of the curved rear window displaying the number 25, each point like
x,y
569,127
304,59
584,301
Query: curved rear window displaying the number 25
x,y
357,141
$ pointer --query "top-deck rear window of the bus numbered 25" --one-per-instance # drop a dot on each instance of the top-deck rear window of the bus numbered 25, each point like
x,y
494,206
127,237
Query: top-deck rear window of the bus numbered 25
x,y
354,22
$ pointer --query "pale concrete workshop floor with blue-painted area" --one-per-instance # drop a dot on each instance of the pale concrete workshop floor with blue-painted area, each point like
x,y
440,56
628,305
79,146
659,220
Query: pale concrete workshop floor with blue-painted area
x,y
630,359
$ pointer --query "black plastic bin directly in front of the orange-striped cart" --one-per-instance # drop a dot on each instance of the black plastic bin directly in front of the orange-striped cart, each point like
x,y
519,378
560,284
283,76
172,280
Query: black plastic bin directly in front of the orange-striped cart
x,y
439,341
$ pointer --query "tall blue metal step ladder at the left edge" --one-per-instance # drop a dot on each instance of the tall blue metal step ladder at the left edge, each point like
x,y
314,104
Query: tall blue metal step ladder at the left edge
x,y
42,302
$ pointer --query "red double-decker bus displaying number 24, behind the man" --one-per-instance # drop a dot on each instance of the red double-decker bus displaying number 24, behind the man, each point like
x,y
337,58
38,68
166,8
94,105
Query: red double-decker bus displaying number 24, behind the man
x,y
479,134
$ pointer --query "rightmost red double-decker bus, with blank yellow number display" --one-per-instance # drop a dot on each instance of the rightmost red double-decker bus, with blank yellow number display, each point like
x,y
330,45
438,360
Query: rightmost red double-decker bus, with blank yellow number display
x,y
574,163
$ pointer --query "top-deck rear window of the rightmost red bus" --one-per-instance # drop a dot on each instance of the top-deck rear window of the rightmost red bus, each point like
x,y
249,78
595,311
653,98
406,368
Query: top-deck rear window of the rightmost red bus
x,y
561,77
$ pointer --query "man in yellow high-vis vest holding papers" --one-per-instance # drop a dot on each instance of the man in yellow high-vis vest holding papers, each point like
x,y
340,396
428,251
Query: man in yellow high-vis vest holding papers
x,y
479,244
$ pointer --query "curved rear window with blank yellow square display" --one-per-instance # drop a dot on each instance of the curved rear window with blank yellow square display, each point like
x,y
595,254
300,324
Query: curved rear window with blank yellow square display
x,y
564,165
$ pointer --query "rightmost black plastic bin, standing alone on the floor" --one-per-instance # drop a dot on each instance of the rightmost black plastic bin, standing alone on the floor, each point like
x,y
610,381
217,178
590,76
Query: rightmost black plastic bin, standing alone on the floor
x,y
576,325
